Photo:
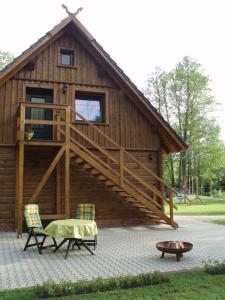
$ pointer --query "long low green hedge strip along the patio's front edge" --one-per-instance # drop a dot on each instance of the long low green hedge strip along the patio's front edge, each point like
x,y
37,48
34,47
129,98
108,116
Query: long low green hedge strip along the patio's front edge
x,y
50,289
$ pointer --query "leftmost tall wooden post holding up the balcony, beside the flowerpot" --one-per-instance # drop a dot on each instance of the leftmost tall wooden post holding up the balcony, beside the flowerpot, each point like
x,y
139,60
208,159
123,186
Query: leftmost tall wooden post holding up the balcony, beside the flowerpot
x,y
20,173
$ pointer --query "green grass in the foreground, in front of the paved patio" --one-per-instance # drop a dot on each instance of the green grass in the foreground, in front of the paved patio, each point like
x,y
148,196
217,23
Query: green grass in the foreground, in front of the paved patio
x,y
186,285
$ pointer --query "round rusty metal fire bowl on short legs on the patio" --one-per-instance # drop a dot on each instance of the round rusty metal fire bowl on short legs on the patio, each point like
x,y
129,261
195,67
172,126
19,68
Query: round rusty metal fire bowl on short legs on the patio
x,y
174,247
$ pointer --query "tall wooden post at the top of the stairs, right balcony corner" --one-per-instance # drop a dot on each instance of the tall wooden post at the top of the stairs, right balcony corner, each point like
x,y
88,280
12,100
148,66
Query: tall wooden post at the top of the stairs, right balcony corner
x,y
67,164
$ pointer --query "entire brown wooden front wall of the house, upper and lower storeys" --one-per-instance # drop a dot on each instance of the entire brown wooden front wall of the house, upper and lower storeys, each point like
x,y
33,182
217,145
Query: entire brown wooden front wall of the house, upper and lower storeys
x,y
126,125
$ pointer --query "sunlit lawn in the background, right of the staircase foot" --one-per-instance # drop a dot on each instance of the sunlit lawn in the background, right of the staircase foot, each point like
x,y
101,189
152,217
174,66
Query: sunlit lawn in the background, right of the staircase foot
x,y
212,206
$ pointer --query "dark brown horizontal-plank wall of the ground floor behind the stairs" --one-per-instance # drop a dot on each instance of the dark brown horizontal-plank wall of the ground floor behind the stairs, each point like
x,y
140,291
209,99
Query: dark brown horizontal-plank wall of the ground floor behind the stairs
x,y
110,209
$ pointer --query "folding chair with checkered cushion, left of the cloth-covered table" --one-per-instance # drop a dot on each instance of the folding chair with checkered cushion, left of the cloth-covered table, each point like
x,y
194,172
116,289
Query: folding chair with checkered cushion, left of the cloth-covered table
x,y
33,221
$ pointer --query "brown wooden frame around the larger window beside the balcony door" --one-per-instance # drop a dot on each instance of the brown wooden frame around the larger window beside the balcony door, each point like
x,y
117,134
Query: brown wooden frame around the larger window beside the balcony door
x,y
105,109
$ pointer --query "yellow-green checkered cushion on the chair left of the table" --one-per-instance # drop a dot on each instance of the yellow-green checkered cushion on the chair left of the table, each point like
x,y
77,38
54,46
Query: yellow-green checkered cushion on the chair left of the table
x,y
32,217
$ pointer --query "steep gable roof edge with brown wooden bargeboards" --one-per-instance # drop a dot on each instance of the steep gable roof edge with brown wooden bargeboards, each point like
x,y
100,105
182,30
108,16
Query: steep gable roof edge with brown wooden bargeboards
x,y
171,141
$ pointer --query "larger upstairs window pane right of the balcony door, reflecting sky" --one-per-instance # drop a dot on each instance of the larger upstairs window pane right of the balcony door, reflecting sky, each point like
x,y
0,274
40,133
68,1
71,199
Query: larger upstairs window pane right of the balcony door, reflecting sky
x,y
90,106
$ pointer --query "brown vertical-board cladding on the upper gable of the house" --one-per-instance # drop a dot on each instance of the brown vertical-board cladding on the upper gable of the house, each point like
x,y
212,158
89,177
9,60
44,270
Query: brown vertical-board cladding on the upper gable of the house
x,y
124,122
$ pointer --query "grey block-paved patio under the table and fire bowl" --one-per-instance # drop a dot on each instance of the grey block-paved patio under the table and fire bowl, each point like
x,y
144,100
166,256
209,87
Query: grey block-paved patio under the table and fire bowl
x,y
120,252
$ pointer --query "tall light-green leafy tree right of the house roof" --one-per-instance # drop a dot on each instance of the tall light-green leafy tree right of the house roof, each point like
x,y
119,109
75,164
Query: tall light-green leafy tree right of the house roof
x,y
185,100
